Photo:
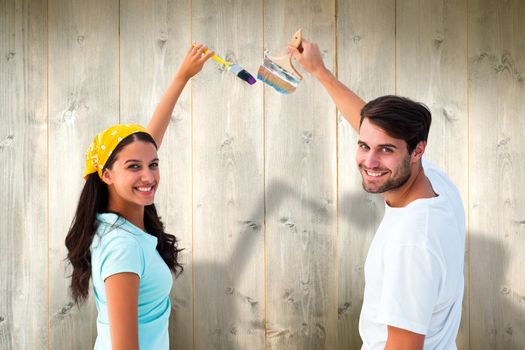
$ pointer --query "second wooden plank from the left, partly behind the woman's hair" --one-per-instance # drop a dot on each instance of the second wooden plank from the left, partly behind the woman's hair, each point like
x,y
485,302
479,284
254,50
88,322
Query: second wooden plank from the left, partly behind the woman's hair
x,y
83,100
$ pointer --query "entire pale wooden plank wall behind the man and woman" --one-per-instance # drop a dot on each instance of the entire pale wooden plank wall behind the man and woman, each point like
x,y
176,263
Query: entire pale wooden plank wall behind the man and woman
x,y
261,189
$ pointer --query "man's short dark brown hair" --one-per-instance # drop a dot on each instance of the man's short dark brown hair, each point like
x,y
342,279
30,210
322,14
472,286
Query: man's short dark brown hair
x,y
400,118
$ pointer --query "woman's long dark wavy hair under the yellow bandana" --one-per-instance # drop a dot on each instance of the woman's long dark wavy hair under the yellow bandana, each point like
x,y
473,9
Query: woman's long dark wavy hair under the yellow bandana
x,y
93,200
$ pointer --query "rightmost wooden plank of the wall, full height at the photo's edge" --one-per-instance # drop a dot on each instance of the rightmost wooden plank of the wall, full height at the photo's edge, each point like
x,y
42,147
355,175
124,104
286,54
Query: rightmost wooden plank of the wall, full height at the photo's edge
x,y
496,57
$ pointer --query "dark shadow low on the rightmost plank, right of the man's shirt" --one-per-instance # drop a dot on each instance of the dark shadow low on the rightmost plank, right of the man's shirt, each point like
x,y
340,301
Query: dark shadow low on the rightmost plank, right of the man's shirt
x,y
497,310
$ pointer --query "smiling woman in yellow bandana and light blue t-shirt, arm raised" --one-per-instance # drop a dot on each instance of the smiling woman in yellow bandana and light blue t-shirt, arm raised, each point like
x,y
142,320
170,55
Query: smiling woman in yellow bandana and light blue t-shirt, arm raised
x,y
117,238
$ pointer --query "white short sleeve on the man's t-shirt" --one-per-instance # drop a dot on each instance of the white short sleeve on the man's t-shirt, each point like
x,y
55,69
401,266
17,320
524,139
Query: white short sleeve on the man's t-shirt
x,y
410,288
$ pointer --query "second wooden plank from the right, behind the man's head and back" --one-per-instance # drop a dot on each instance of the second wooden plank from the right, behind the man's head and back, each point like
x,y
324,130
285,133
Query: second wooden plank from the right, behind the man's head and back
x,y
431,47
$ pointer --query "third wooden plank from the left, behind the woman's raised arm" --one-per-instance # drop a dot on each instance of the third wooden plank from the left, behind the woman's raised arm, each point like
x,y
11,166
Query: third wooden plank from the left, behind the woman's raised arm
x,y
154,37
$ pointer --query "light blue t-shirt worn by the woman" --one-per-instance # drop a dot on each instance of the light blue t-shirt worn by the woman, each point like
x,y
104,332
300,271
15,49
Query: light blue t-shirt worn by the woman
x,y
119,246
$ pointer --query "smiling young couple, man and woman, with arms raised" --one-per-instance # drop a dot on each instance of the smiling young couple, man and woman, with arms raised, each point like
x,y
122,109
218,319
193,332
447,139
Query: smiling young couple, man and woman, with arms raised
x,y
413,271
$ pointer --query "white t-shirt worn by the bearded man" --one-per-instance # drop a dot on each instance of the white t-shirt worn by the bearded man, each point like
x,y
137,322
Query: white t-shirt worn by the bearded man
x,y
414,269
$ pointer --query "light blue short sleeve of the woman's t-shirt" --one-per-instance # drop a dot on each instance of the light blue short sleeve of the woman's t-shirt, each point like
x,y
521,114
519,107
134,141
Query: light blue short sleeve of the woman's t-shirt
x,y
121,253
